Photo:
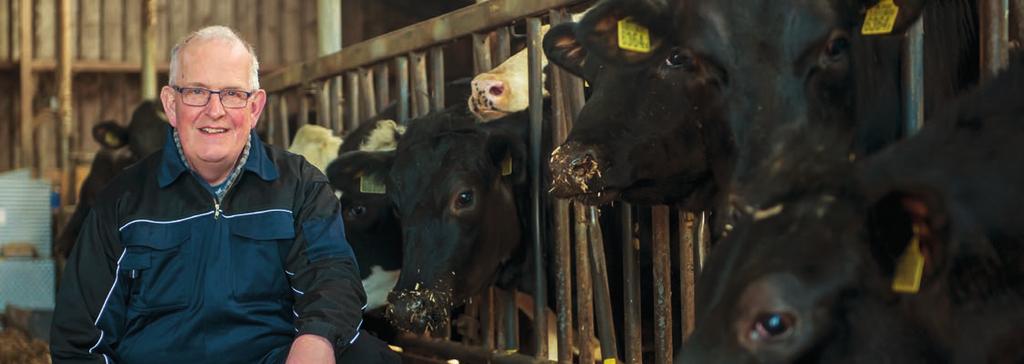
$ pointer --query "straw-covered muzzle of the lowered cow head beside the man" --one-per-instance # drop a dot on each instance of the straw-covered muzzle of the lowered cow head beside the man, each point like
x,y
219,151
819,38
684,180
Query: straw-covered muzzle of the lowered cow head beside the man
x,y
420,310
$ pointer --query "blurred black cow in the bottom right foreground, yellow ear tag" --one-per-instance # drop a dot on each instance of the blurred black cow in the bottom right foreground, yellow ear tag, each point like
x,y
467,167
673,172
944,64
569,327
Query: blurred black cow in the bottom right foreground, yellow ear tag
x,y
807,276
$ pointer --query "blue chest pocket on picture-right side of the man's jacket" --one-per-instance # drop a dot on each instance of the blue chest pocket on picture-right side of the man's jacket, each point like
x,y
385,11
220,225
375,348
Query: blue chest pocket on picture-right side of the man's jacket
x,y
260,244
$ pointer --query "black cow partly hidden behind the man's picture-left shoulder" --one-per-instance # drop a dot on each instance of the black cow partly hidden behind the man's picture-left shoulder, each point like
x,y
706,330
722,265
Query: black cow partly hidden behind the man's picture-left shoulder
x,y
120,147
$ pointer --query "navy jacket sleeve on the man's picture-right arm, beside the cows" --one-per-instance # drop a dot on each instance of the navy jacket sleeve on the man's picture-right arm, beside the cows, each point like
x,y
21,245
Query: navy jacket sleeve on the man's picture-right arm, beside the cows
x,y
322,268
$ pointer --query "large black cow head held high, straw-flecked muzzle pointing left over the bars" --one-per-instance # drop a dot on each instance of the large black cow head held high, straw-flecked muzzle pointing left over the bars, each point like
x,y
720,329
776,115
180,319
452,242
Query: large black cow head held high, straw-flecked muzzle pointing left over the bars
x,y
639,138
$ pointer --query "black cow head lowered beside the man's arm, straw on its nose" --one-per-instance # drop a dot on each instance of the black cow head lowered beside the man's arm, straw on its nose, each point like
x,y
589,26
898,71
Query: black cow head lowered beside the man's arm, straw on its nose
x,y
453,186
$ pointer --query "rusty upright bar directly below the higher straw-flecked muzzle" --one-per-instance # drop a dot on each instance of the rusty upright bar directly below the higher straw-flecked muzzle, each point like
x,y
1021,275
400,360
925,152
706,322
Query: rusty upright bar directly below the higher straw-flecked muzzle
x,y
585,293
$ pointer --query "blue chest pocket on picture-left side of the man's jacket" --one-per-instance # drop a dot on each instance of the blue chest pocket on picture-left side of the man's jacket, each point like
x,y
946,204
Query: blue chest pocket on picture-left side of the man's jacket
x,y
155,268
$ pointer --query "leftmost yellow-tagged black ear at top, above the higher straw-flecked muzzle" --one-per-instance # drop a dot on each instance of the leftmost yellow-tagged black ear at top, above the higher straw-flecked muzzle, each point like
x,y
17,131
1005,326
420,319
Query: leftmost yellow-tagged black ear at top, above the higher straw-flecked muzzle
x,y
626,32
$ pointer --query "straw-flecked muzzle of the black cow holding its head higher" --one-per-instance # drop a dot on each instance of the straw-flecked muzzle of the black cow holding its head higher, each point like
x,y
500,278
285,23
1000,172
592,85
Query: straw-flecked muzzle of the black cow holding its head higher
x,y
577,173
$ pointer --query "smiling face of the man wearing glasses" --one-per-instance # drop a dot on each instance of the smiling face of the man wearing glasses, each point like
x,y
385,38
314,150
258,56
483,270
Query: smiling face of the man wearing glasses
x,y
212,134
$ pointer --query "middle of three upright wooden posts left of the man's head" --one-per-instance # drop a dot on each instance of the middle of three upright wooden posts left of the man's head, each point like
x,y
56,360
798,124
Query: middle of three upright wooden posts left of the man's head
x,y
64,97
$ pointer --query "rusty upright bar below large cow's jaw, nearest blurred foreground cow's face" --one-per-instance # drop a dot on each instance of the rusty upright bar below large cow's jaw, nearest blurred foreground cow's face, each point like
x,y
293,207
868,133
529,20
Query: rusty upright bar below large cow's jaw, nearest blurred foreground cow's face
x,y
688,267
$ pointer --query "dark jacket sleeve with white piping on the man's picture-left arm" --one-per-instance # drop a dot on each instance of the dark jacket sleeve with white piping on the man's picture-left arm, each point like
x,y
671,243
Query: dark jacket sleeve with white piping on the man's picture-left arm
x,y
90,309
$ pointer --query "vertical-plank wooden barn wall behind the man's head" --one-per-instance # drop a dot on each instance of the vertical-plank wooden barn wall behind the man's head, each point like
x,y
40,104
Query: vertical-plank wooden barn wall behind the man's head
x,y
107,47
